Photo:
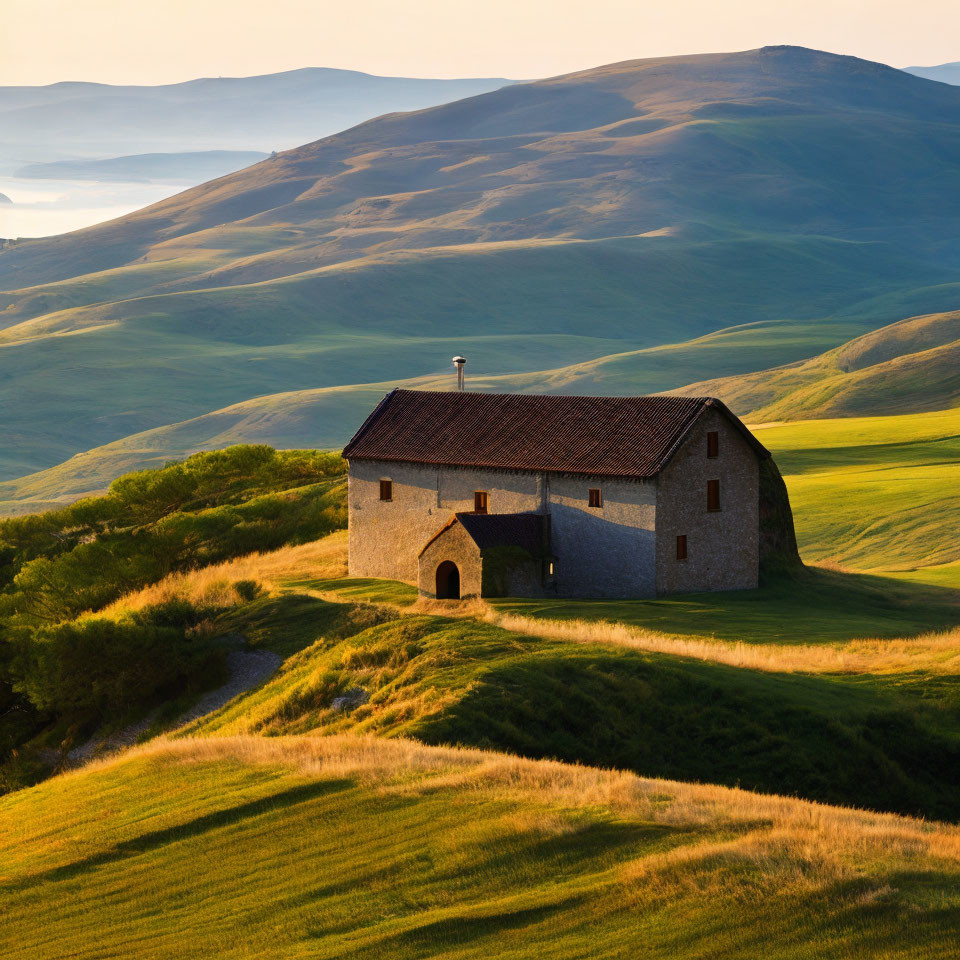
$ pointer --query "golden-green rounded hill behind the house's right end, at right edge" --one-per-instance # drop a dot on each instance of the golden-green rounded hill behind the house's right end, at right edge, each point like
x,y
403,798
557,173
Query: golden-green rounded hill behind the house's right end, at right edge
x,y
906,367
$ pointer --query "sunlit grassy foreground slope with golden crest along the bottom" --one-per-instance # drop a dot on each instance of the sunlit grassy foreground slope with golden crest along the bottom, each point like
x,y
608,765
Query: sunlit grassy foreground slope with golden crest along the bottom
x,y
326,847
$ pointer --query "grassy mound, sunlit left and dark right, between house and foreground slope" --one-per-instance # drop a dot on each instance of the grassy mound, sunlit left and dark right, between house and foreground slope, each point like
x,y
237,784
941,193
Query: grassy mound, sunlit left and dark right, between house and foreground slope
x,y
862,739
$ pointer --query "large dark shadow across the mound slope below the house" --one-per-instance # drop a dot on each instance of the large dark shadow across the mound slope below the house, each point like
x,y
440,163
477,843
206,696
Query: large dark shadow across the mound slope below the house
x,y
837,740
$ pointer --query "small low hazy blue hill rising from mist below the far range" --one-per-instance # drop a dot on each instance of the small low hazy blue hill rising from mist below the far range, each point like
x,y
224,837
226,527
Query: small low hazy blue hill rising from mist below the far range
x,y
167,167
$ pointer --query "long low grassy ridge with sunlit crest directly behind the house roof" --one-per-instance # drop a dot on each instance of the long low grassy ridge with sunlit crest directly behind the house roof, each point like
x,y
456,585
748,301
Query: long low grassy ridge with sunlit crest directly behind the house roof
x,y
328,416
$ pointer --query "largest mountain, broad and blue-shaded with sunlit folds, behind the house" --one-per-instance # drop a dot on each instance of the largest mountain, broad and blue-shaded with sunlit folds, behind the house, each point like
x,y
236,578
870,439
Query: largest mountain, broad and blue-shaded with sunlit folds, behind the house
x,y
588,224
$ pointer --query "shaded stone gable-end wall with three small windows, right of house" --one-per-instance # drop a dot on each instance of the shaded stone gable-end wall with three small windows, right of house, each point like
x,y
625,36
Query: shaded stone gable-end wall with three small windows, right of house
x,y
722,546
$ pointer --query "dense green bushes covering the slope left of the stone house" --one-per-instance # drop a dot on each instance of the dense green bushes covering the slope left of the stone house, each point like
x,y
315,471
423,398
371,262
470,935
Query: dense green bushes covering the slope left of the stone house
x,y
62,663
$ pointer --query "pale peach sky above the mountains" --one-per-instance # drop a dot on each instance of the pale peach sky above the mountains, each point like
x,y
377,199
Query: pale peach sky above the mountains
x,y
165,41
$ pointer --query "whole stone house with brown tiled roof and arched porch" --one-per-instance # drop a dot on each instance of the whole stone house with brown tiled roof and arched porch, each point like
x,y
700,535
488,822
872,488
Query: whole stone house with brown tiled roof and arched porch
x,y
481,494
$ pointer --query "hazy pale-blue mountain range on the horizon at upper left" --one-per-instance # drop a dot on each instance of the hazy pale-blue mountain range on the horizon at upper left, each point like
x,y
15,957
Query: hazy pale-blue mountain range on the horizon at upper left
x,y
264,113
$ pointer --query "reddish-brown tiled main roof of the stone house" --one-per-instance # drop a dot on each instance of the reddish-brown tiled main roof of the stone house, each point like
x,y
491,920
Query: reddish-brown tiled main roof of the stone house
x,y
595,436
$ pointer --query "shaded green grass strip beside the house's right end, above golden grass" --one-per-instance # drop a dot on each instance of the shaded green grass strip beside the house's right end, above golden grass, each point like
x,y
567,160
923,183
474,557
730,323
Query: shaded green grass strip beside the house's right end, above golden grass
x,y
818,605
